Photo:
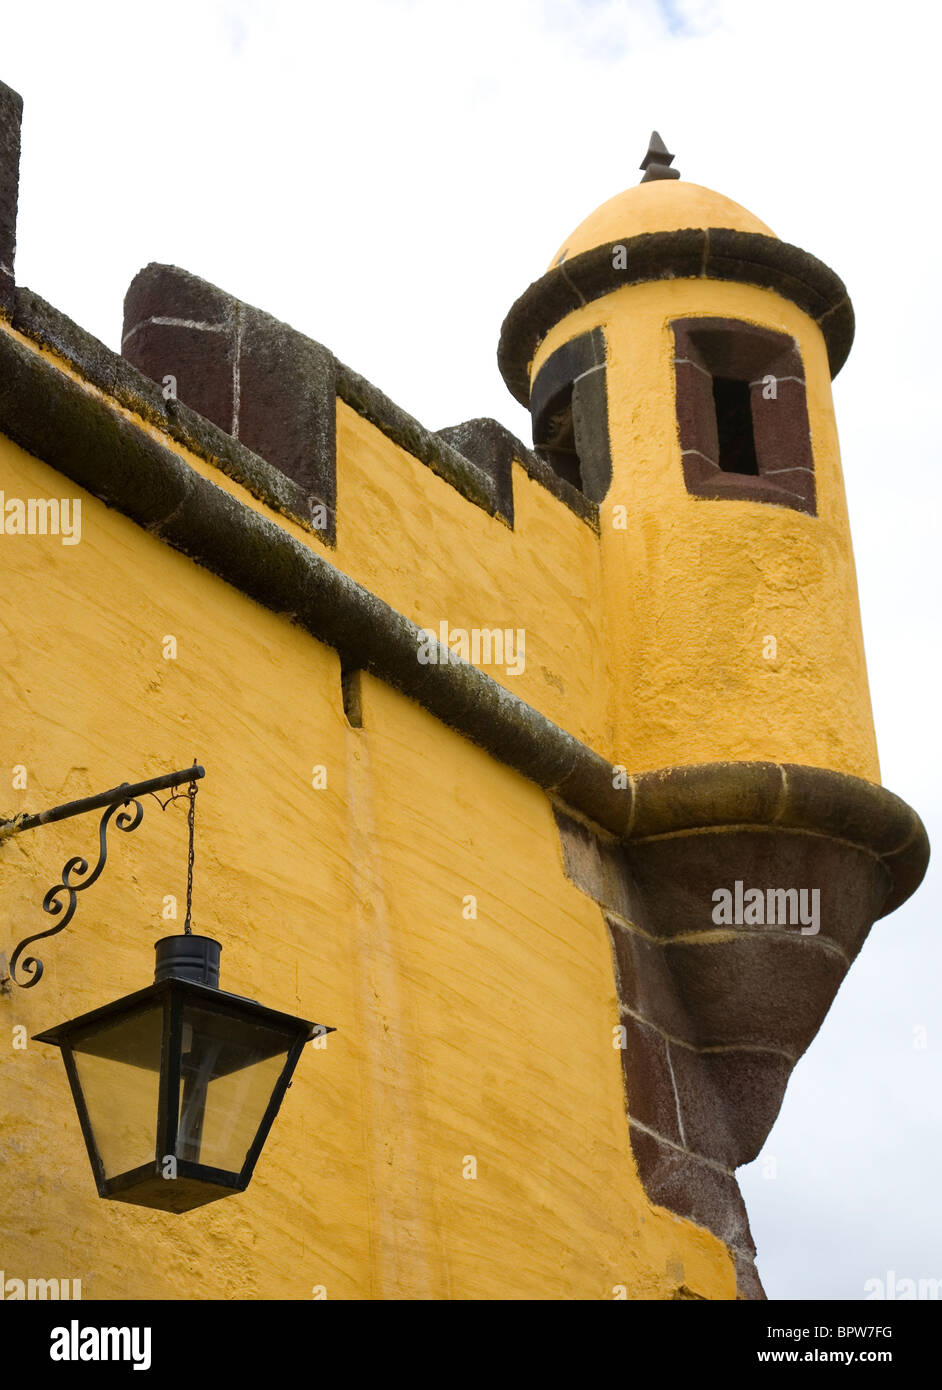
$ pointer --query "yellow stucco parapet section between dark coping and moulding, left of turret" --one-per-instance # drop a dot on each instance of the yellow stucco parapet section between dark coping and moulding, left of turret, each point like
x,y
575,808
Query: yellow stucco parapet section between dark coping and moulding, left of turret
x,y
409,537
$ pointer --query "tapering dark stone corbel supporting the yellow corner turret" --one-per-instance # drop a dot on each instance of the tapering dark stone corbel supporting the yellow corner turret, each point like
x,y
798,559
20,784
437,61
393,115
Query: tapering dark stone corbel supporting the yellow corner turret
x,y
716,1014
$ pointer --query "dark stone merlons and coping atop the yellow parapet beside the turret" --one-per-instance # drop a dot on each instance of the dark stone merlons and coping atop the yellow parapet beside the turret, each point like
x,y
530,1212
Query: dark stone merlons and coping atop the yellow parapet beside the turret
x,y
183,326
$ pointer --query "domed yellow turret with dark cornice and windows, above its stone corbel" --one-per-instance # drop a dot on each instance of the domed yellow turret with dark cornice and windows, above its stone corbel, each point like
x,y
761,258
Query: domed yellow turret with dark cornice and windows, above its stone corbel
x,y
679,338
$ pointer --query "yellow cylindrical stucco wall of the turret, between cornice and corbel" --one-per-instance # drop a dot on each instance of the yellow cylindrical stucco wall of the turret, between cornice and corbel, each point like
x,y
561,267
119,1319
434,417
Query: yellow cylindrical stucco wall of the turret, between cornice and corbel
x,y
694,587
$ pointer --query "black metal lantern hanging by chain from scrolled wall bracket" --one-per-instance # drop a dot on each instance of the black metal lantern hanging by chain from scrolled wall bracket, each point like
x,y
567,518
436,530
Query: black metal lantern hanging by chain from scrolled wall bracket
x,y
176,1086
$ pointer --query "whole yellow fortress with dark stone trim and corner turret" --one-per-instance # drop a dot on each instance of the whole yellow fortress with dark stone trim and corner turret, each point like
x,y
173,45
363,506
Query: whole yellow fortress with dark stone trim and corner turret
x,y
494,878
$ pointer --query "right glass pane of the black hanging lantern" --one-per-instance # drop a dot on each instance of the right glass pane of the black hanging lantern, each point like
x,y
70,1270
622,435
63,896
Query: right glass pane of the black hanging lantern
x,y
230,1067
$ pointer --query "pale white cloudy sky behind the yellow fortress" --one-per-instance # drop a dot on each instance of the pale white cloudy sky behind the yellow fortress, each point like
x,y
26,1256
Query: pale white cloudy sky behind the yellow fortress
x,y
390,176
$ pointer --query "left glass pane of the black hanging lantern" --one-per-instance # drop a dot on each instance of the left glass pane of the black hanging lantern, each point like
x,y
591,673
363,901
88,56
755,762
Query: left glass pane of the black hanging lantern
x,y
119,1070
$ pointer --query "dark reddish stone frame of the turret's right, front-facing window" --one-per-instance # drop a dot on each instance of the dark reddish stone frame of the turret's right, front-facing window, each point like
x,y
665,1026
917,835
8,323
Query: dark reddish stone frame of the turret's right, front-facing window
x,y
734,350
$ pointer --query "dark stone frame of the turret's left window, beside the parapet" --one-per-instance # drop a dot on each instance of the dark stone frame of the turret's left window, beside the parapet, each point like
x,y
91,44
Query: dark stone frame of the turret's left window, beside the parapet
x,y
569,402
